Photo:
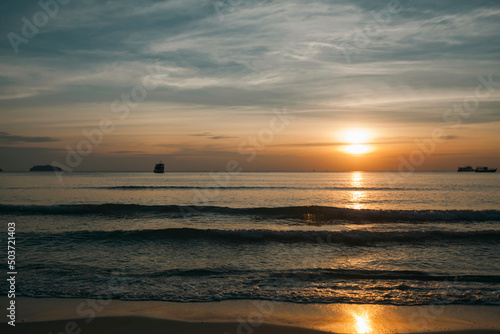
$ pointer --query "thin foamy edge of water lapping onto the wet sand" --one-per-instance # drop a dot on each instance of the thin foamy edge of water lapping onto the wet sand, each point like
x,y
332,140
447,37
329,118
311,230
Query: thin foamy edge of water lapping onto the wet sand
x,y
474,297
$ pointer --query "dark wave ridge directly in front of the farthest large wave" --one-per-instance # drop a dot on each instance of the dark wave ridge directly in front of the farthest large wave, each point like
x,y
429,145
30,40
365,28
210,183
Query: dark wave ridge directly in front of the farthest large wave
x,y
349,237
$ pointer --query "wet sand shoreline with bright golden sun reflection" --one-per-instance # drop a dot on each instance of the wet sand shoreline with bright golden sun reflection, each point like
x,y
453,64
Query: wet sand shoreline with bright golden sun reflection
x,y
67,315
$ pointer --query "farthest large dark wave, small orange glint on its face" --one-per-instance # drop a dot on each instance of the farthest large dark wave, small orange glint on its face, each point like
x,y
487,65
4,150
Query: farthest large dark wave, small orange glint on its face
x,y
311,214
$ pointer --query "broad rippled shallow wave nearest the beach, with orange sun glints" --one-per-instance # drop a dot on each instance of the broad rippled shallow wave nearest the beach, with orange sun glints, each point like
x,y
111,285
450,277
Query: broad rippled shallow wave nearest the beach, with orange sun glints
x,y
305,285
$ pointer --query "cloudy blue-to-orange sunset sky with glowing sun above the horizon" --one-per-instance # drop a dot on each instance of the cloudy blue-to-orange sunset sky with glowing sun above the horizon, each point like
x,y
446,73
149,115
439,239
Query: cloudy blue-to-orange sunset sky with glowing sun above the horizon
x,y
118,85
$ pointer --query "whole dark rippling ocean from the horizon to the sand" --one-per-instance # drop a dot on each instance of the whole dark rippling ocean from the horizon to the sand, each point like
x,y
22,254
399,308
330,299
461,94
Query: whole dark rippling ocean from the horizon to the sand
x,y
340,237
